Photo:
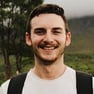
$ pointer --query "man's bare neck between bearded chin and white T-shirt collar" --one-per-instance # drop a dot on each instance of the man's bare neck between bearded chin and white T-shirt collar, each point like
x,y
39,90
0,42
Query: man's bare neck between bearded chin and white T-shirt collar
x,y
52,71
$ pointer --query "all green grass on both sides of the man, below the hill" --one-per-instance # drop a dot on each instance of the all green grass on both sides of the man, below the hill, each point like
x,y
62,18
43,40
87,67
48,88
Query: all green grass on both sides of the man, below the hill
x,y
79,61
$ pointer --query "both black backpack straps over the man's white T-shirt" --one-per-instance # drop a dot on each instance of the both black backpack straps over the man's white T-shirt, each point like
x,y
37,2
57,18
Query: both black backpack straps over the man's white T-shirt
x,y
83,83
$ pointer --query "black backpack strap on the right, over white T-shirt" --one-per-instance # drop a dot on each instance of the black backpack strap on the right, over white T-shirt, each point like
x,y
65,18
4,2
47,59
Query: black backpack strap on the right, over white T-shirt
x,y
84,83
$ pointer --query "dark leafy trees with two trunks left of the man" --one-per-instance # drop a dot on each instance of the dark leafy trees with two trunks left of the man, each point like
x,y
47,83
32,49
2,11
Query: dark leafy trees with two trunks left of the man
x,y
13,16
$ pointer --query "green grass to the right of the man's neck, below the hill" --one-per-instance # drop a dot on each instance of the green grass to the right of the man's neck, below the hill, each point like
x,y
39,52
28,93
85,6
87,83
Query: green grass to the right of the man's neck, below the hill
x,y
82,62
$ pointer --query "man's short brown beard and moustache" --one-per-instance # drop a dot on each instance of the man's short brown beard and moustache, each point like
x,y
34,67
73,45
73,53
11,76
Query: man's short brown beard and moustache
x,y
46,61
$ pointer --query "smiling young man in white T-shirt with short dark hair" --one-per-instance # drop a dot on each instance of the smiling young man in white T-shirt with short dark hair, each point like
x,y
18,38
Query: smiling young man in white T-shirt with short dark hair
x,y
49,35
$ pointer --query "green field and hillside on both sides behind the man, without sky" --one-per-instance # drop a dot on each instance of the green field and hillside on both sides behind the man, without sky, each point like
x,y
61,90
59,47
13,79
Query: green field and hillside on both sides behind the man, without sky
x,y
80,54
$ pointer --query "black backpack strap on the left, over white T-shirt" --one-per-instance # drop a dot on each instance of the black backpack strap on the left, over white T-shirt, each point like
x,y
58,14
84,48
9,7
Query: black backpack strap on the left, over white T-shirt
x,y
16,84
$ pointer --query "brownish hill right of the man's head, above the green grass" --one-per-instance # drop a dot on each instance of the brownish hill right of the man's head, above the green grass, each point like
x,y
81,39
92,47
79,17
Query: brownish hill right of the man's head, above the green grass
x,y
82,35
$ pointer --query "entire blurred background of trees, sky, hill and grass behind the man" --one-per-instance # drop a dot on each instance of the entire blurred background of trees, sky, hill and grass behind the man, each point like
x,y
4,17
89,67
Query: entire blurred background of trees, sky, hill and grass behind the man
x,y
16,57
